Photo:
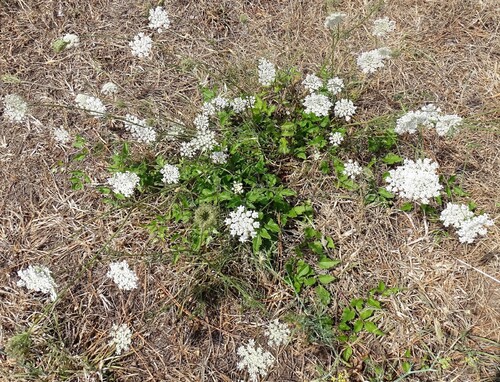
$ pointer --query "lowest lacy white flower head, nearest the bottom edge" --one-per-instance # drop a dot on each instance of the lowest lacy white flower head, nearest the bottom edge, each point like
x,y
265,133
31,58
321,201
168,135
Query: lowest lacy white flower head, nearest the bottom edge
x,y
255,360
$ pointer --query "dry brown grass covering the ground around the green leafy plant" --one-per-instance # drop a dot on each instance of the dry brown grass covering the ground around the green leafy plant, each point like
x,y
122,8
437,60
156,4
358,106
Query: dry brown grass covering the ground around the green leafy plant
x,y
449,54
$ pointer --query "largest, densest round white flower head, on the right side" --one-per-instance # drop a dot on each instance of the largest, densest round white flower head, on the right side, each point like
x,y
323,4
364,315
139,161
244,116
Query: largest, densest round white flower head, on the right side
x,y
415,180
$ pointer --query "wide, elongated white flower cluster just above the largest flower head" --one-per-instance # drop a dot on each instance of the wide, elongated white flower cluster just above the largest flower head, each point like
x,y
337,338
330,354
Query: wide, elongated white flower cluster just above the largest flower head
x,y
429,116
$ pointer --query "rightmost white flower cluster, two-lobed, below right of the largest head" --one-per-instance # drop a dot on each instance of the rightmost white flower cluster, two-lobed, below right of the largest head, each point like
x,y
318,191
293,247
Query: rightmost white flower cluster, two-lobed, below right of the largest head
x,y
468,226
